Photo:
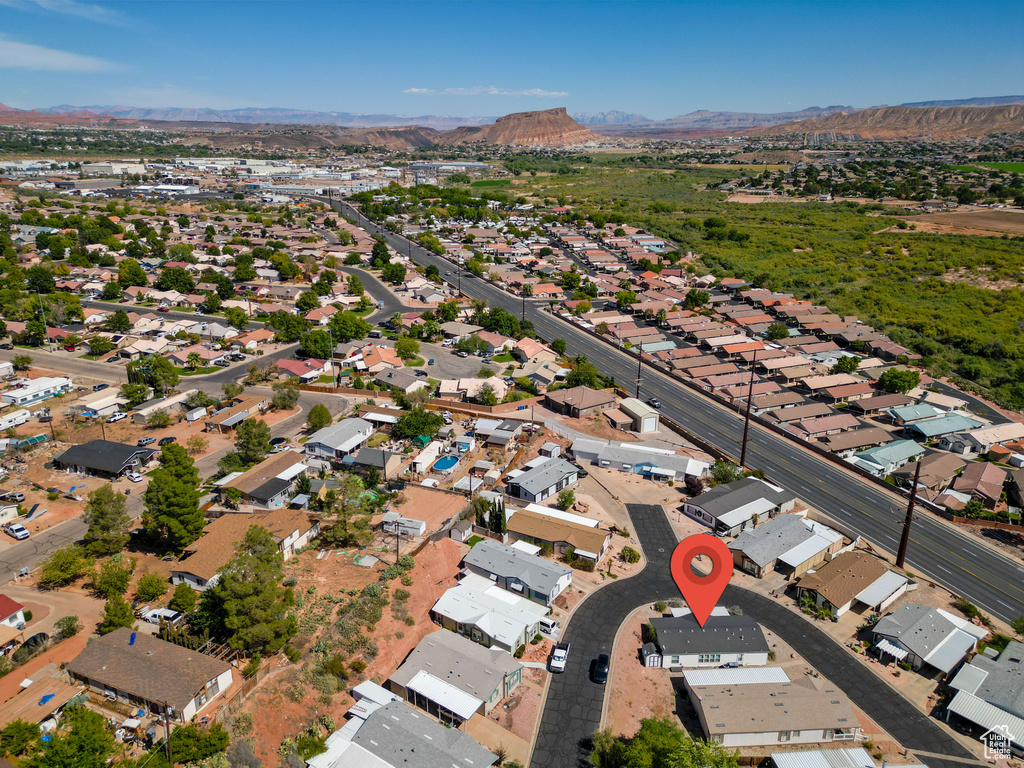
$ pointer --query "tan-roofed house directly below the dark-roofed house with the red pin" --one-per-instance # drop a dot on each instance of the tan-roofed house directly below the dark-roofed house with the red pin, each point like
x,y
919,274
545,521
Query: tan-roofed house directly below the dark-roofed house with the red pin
x,y
805,711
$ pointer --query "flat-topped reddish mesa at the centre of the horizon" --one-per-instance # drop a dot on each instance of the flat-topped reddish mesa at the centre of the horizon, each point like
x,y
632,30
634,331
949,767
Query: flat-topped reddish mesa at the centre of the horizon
x,y
545,129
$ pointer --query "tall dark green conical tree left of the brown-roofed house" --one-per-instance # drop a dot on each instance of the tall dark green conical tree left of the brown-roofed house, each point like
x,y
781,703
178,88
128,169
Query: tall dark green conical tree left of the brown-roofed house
x,y
172,500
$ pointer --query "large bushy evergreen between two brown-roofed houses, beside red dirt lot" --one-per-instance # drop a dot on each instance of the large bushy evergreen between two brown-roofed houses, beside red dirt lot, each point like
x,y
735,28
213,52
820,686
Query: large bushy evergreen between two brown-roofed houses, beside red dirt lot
x,y
247,606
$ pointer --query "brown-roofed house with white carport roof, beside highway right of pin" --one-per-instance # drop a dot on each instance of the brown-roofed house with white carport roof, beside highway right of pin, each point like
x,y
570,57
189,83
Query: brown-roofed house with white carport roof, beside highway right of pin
x,y
854,578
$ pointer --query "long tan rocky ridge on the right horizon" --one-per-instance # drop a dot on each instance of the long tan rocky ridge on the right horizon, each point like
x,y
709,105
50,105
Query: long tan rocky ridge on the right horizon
x,y
905,122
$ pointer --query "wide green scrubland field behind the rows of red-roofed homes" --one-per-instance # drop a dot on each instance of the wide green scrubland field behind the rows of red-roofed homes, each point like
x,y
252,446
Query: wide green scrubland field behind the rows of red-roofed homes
x,y
955,300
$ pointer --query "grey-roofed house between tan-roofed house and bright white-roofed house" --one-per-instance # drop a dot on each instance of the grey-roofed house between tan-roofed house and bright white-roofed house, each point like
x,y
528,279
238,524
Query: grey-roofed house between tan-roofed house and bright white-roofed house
x,y
519,572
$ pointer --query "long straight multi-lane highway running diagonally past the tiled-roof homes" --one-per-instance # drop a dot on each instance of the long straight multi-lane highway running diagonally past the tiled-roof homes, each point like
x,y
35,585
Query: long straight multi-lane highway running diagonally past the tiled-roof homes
x,y
958,562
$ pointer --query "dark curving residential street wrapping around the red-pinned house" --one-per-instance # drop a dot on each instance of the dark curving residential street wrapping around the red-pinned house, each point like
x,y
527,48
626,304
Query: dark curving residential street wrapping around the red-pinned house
x,y
574,706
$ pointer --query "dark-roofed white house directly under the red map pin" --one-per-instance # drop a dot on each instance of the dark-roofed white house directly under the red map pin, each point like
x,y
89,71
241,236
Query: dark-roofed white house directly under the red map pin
x,y
724,639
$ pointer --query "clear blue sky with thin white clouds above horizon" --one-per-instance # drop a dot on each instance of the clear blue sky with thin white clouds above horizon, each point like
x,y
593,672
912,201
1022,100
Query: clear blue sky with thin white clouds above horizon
x,y
484,59
